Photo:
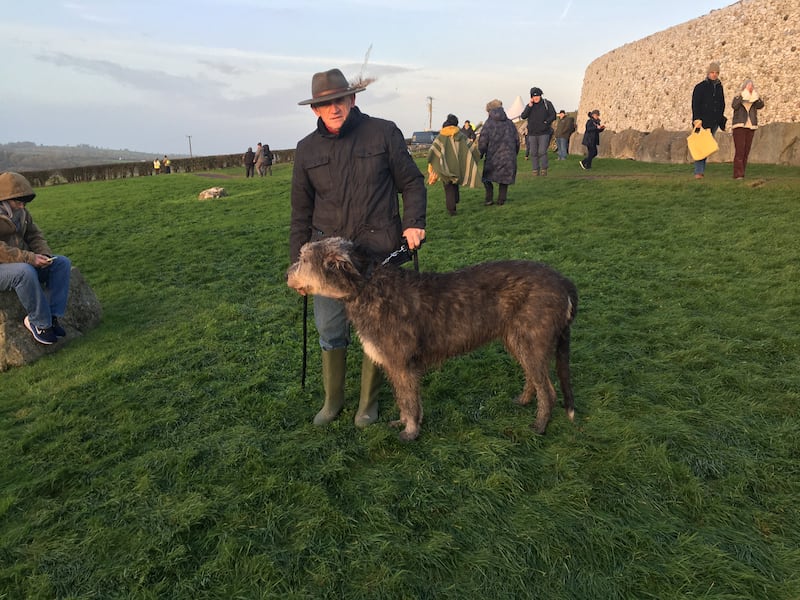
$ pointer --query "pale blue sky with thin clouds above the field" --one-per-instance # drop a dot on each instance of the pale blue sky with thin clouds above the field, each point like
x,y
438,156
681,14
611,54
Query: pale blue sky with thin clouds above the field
x,y
218,76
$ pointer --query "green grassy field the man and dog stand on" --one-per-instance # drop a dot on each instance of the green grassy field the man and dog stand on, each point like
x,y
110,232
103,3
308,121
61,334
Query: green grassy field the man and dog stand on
x,y
169,453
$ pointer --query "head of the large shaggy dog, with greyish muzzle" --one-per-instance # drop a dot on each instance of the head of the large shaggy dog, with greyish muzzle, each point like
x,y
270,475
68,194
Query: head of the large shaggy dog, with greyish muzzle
x,y
331,267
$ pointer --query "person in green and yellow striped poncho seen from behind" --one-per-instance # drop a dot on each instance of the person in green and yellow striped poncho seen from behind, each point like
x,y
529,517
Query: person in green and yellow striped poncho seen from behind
x,y
453,159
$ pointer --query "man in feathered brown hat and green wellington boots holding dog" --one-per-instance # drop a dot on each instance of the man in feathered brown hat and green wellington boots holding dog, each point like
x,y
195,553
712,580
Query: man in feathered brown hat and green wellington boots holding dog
x,y
347,175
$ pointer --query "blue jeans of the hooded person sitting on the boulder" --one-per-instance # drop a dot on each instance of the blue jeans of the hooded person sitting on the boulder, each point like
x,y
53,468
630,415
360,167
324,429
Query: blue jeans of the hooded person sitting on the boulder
x,y
42,292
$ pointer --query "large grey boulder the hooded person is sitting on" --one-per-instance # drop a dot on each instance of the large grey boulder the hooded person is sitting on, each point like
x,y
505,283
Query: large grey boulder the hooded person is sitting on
x,y
17,346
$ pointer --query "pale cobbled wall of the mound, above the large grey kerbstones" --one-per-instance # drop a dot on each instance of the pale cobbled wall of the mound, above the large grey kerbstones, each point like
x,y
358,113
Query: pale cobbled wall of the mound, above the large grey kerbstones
x,y
647,85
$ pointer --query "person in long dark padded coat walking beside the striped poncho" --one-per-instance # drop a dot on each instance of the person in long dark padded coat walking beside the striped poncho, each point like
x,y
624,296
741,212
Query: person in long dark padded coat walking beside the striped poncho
x,y
499,144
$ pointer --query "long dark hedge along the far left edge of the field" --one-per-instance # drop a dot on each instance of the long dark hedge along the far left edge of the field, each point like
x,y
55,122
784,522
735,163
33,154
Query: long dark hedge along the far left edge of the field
x,y
123,170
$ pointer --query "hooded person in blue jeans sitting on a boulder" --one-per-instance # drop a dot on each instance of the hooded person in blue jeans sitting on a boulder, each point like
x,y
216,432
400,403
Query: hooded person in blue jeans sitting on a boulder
x,y
27,265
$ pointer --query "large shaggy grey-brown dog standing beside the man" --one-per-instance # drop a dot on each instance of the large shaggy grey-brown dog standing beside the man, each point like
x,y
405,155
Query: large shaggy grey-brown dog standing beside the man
x,y
409,322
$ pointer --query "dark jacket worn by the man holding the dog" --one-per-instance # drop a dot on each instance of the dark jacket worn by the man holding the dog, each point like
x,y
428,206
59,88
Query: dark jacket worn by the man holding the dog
x,y
347,185
